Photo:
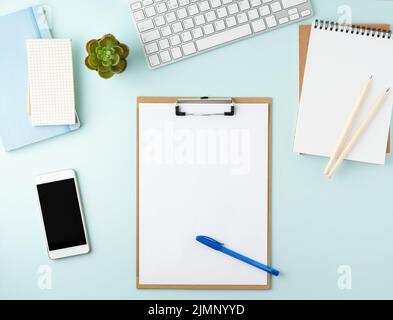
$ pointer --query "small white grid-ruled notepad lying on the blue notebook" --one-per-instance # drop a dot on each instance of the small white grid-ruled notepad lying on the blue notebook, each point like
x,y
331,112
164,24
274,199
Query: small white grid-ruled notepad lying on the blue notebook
x,y
51,82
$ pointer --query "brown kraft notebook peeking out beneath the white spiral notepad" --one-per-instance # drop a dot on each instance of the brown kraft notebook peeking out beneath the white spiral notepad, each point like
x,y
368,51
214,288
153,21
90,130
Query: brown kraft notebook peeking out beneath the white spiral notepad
x,y
304,39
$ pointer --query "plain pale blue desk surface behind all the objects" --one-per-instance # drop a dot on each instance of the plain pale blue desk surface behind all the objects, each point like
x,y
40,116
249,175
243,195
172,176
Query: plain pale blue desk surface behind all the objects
x,y
317,225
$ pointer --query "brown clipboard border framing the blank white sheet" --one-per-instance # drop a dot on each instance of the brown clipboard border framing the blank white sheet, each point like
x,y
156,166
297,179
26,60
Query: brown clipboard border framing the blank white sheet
x,y
268,101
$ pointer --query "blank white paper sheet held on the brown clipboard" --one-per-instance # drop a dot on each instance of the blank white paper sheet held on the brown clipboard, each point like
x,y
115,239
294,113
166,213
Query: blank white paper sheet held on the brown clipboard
x,y
183,193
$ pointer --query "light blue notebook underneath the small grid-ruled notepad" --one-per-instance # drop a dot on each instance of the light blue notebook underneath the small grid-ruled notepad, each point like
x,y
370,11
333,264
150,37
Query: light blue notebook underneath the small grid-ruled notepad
x,y
16,130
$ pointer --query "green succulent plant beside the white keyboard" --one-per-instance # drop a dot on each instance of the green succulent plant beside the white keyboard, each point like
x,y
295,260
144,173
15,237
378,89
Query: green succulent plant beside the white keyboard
x,y
107,56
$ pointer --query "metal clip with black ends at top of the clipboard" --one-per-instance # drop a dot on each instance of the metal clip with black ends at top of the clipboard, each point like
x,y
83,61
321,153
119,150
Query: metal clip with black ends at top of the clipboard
x,y
205,100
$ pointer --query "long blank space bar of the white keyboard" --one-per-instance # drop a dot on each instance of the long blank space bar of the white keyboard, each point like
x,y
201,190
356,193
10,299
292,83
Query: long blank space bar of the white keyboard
x,y
223,37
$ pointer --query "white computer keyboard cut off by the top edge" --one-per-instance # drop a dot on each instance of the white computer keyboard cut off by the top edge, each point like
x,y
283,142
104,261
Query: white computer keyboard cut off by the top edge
x,y
171,30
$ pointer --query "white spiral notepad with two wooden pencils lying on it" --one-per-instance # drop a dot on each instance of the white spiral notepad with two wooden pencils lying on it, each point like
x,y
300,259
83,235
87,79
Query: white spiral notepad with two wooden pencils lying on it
x,y
340,60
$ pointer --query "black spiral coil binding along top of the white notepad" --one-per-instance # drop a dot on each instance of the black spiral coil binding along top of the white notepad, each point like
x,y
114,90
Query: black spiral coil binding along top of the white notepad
x,y
353,29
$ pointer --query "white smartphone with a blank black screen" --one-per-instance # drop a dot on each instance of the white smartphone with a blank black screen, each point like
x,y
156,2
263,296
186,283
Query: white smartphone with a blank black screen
x,y
62,214
